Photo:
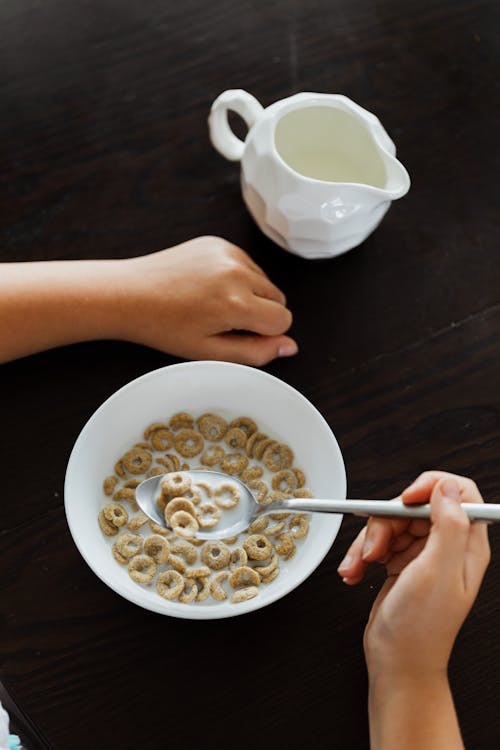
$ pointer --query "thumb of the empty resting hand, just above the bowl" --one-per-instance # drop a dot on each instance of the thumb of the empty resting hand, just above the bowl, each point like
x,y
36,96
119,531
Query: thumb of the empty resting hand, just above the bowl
x,y
248,349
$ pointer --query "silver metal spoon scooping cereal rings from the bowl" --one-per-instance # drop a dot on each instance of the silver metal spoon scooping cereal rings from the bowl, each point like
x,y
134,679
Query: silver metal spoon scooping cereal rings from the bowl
x,y
247,510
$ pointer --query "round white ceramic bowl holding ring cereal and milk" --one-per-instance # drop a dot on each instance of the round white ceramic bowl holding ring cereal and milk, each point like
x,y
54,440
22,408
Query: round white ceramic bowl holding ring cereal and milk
x,y
223,388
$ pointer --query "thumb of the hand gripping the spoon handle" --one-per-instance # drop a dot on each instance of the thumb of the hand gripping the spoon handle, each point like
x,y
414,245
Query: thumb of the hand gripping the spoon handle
x,y
450,527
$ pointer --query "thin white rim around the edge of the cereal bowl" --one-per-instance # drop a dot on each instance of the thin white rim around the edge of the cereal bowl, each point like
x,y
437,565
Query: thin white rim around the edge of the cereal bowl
x,y
186,612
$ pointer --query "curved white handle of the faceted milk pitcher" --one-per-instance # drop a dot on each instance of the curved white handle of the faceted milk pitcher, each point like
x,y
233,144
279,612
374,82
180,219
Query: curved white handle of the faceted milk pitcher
x,y
221,135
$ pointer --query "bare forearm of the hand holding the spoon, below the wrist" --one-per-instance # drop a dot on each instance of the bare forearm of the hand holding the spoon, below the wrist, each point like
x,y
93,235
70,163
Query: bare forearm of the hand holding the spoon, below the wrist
x,y
412,713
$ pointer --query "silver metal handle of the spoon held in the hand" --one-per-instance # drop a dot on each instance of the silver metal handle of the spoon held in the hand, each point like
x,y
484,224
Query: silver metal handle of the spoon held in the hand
x,y
475,511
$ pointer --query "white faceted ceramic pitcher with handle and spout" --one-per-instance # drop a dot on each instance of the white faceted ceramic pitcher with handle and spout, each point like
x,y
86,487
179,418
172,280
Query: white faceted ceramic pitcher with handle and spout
x,y
318,172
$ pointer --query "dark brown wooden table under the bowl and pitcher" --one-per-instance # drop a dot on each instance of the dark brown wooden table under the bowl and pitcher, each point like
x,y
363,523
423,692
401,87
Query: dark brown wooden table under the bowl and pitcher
x,y
105,153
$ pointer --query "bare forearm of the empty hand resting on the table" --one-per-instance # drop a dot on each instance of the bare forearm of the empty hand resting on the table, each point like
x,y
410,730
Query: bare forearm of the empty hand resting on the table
x,y
52,303
